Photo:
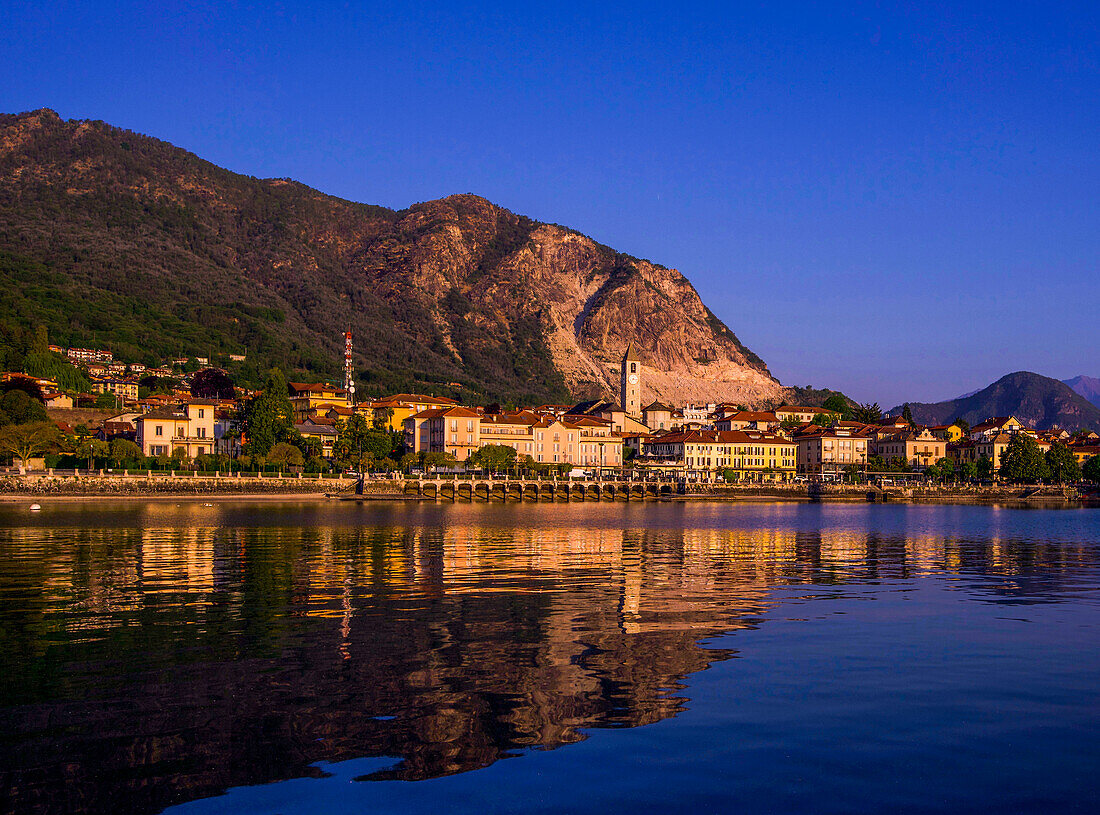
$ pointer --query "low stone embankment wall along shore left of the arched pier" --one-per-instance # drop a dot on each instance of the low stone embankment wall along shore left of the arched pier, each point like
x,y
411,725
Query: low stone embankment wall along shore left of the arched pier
x,y
182,486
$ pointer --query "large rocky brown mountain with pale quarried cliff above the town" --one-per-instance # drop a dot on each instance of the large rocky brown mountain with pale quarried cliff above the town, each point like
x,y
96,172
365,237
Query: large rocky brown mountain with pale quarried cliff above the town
x,y
124,241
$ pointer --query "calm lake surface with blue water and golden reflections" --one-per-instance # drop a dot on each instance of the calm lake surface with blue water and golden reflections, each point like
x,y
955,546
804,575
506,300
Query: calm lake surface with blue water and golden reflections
x,y
306,657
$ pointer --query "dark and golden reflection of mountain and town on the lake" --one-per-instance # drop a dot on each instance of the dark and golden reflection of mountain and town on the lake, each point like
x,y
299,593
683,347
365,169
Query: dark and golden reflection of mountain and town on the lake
x,y
155,666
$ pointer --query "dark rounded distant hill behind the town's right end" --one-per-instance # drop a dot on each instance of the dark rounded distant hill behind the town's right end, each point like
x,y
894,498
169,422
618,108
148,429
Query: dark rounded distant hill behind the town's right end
x,y
1038,401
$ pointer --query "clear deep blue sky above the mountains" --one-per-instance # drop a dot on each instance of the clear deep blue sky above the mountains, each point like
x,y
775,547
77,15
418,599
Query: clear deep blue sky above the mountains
x,y
901,203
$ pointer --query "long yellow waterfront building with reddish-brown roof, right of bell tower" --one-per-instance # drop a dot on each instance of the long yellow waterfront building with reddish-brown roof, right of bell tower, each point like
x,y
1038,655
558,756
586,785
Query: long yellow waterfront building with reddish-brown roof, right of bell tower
x,y
712,455
